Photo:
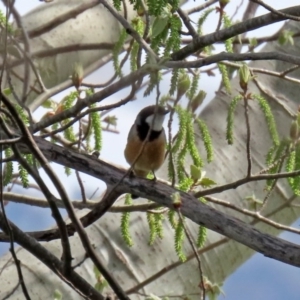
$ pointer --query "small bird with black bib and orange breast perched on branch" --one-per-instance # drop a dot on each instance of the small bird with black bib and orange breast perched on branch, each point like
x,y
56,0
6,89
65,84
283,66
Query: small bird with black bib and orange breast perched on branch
x,y
151,158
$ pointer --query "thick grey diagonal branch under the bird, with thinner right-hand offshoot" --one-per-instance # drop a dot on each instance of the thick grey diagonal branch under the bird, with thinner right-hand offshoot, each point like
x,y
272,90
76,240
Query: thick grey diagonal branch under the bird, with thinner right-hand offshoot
x,y
191,207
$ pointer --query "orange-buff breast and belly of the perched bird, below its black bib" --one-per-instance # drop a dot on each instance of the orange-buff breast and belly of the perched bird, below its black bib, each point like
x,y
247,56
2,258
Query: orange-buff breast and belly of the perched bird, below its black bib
x,y
152,156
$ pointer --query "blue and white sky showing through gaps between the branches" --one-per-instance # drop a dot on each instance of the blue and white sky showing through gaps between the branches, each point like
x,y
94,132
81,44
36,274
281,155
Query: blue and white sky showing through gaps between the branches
x,y
258,278
